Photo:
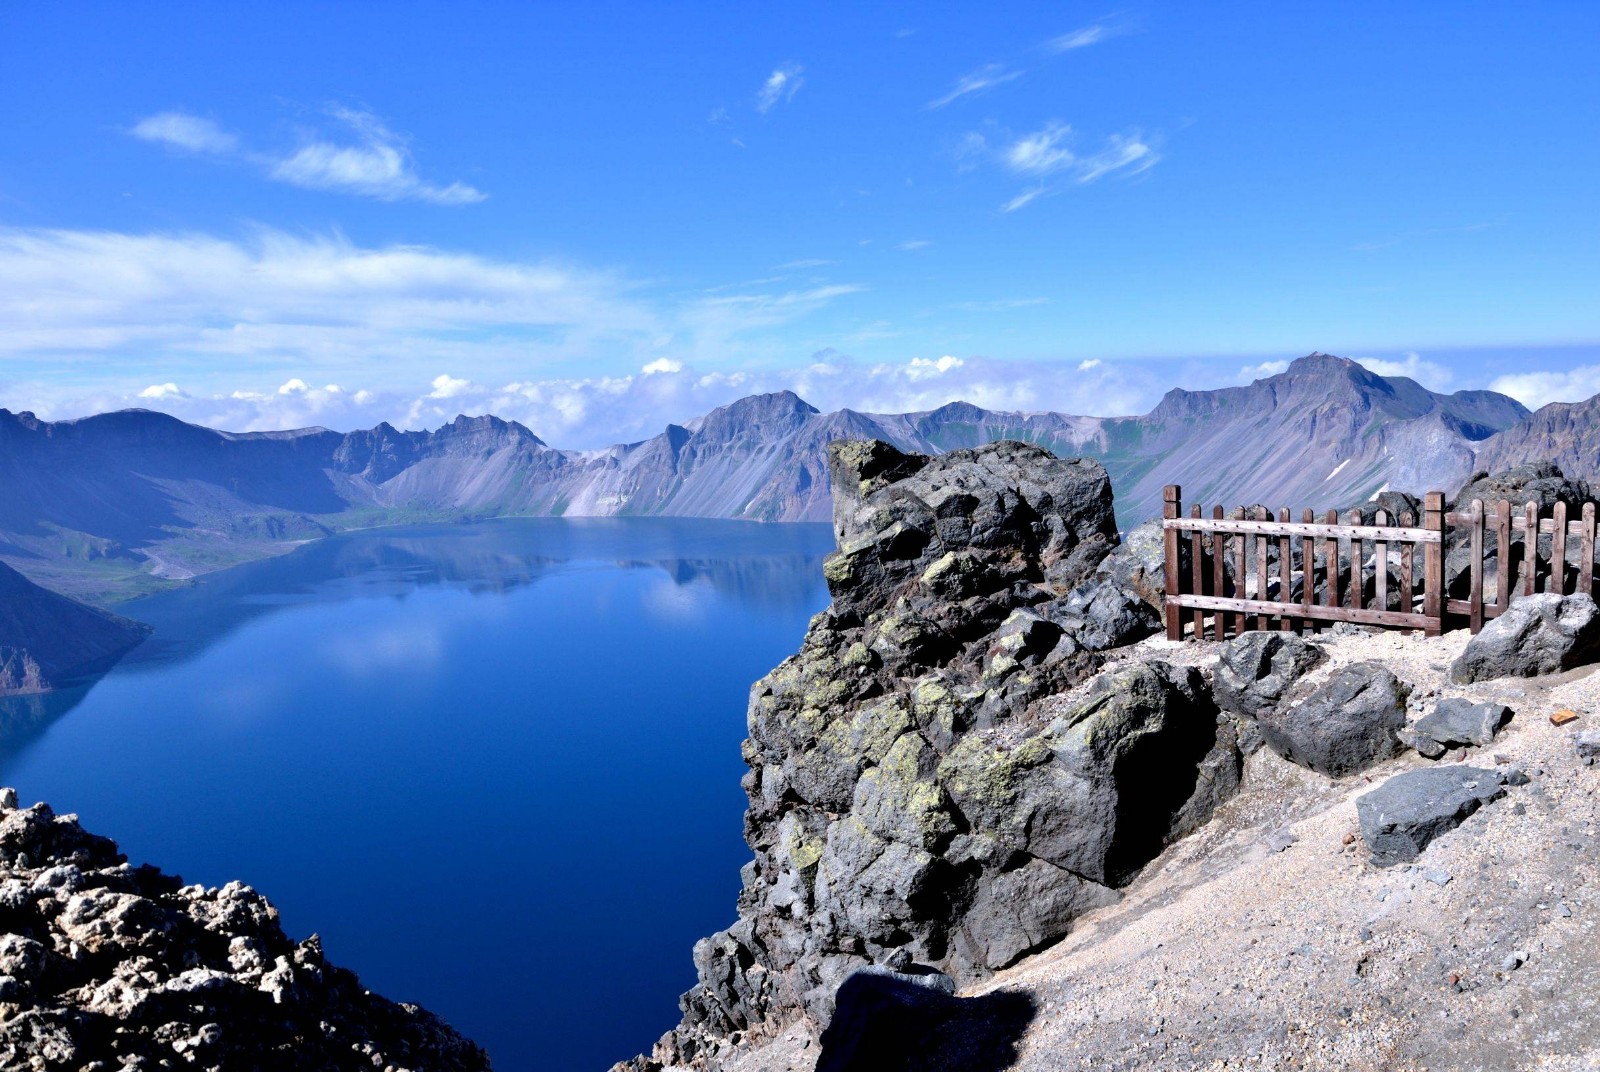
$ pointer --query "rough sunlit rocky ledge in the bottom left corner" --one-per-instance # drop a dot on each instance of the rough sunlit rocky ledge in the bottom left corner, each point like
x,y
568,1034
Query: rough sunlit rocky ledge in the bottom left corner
x,y
108,967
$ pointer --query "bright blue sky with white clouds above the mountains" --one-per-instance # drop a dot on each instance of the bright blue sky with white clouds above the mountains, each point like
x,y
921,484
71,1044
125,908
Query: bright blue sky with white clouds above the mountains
x,y
599,218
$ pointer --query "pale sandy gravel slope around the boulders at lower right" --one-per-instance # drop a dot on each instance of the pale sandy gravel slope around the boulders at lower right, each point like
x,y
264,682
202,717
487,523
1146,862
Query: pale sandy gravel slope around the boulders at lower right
x,y
1231,953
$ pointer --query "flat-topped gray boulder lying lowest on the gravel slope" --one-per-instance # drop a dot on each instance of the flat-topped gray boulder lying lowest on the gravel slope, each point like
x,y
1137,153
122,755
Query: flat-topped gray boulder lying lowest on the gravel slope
x,y
1410,810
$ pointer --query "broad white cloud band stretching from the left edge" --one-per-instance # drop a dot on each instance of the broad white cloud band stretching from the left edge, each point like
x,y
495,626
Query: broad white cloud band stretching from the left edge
x,y
305,300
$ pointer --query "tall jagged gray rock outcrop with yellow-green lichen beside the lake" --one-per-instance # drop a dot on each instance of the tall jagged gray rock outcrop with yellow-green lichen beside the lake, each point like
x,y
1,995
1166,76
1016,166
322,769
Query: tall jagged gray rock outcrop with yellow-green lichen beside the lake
x,y
911,799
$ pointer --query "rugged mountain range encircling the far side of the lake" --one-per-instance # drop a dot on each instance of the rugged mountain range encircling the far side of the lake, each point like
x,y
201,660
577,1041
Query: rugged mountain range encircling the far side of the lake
x,y
118,505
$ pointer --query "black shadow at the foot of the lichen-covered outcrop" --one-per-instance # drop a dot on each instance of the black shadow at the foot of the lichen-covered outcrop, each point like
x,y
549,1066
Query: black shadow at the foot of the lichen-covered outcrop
x,y
889,1022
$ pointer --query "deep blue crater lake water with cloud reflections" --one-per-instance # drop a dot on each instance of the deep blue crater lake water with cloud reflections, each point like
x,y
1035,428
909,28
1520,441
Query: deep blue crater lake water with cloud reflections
x,y
497,767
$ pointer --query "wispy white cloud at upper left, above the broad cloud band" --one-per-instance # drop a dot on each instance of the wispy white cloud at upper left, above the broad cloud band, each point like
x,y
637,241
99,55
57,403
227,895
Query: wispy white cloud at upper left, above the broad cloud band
x,y
370,161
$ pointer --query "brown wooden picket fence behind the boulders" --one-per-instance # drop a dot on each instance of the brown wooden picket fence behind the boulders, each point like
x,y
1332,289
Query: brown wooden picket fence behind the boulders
x,y
1250,570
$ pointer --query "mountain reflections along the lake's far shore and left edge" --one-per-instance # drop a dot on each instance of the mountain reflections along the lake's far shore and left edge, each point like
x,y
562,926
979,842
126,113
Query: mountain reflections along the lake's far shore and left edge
x,y
764,567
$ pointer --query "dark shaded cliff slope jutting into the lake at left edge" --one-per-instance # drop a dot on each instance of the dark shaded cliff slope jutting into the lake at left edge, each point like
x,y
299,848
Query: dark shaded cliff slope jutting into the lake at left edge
x,y
47,639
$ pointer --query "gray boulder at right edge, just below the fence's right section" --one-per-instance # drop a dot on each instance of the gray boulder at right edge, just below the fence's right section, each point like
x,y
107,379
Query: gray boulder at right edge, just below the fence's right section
x,y
1537,634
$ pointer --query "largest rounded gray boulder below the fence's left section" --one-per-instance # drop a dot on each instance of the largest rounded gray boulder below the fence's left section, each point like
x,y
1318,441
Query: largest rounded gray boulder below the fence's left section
x,y
1343,726
